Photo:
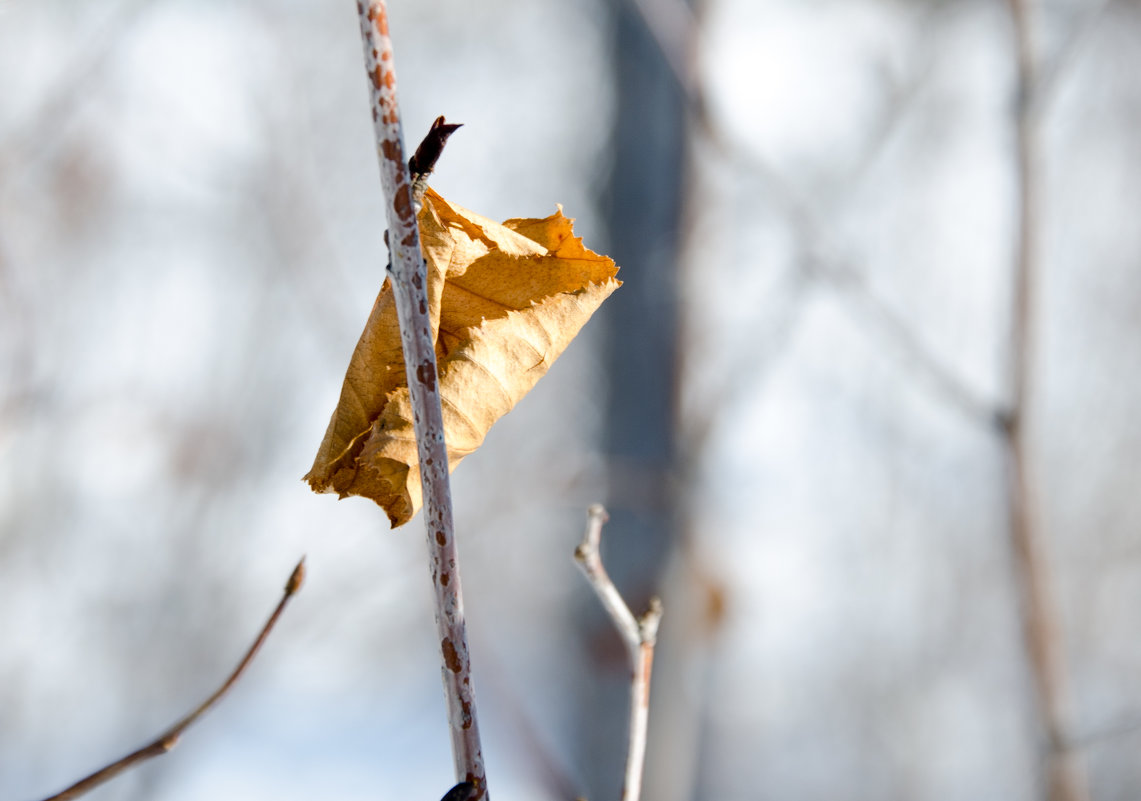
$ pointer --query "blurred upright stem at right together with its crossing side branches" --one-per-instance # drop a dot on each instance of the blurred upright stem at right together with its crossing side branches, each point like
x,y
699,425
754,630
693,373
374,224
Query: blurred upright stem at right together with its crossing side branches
x,y
677,34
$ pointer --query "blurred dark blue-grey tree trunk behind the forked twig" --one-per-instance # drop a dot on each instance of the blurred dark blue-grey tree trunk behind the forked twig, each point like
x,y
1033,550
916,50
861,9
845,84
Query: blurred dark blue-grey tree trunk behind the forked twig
x,y
643,206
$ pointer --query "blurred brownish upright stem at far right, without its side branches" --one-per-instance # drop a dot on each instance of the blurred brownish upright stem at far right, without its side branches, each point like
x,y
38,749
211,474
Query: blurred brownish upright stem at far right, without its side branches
x,y
1066,776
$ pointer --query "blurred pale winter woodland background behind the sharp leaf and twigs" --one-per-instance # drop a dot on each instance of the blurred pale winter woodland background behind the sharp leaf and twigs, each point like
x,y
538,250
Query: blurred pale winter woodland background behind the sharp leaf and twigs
x,y
865,412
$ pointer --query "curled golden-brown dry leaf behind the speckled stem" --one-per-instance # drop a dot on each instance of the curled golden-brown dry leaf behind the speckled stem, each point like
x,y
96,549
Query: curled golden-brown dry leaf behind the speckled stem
x,y
505,301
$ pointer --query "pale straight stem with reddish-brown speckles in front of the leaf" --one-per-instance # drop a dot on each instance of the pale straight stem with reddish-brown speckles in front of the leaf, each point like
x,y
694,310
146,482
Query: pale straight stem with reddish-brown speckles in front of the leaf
x,y
409,278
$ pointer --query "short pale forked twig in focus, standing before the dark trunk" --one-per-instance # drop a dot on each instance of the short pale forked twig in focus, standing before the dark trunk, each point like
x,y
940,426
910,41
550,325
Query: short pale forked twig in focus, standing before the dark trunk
x,y
640,635
